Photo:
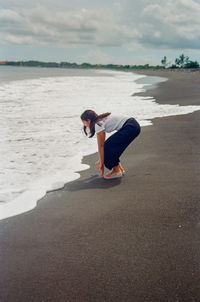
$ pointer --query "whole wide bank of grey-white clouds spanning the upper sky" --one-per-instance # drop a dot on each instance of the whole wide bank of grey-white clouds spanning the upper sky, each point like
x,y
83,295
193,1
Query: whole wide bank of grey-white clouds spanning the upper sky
x,y
147,23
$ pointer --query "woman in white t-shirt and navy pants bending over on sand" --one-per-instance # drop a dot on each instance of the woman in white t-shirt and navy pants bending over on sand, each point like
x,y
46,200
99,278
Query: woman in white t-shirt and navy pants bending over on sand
x,y
110,150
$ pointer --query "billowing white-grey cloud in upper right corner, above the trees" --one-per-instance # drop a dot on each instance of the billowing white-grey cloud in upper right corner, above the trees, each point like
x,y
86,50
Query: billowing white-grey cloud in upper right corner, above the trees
x,y
174,24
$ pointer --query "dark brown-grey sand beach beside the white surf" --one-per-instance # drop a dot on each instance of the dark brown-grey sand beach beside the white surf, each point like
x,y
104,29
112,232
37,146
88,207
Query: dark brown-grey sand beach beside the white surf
x,y
126,240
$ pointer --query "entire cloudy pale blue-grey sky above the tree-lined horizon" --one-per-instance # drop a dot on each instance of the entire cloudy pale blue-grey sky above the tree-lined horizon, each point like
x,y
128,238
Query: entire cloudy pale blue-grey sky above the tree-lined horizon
x,y
99,31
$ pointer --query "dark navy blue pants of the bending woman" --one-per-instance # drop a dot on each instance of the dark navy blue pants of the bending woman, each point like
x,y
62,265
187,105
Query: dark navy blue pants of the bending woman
x,y
115,145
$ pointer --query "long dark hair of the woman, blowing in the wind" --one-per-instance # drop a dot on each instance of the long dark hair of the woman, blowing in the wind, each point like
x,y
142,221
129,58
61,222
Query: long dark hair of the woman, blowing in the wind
x,y
94,118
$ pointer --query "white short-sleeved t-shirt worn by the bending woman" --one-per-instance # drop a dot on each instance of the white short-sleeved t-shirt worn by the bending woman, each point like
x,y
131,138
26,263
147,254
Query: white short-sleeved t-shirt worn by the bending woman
x,y
111,122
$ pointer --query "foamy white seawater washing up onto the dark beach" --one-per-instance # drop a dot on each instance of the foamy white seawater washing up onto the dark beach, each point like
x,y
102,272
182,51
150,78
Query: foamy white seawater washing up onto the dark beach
x,y
42,142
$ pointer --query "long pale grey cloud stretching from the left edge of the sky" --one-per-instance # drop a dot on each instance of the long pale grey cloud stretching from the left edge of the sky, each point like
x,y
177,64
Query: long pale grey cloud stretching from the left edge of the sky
x,y
44,26
